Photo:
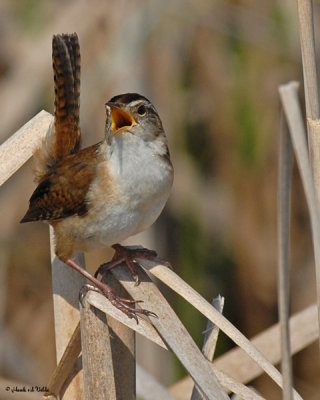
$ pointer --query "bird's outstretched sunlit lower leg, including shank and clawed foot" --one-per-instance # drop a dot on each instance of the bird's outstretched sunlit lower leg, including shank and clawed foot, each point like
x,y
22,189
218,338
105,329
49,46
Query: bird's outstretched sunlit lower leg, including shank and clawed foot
x,y
124,305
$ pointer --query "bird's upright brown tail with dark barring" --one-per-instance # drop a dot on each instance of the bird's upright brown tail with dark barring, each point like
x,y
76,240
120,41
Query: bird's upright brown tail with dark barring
x,y
66,68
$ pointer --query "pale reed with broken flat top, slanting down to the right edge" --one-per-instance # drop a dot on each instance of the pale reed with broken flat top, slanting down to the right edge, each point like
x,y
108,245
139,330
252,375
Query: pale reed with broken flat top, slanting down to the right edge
x,y
291,106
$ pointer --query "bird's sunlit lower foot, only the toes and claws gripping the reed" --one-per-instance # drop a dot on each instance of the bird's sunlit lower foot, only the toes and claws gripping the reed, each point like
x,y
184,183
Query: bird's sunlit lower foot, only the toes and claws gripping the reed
x,y
127,306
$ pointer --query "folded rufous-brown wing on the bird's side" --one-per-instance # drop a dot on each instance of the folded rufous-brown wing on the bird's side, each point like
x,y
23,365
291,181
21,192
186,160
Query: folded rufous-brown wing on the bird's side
x,y
62,190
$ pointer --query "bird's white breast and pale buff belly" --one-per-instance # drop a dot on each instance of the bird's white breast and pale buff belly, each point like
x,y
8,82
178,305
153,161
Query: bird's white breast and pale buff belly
x,y
141,180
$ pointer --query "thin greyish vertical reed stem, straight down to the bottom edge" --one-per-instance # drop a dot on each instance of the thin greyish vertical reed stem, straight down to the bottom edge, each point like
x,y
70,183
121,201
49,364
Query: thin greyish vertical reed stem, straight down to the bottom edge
x,y
284,189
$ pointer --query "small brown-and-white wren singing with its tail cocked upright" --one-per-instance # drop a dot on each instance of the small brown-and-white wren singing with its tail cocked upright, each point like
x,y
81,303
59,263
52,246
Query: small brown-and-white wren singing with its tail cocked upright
x,y
100,195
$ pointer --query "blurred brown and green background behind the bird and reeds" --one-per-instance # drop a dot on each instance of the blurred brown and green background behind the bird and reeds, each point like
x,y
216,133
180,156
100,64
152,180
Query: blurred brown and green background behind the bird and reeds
x,y
212,69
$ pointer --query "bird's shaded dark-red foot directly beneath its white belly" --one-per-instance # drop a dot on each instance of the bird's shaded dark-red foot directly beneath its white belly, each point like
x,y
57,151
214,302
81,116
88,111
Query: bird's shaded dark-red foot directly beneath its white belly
x,y
129,255
